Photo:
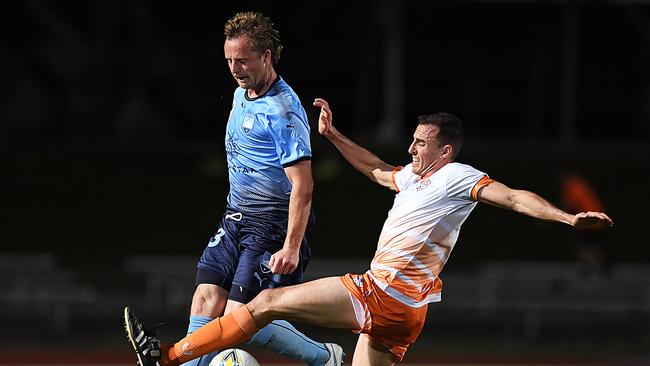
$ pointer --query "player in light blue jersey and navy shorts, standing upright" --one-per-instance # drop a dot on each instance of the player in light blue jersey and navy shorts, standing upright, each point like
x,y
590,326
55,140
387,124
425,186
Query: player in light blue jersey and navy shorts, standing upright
x,y
260,242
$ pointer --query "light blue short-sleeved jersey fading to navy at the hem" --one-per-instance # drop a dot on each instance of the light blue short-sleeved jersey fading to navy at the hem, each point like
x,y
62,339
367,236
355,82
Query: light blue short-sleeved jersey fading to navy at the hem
x,y
263,136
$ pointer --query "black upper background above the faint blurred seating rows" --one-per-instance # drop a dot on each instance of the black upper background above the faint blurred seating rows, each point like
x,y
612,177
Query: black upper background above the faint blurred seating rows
x,y
114,112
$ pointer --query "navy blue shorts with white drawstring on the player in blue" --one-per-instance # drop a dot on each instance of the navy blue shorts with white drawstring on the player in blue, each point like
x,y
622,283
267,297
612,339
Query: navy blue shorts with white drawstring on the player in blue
x,y
236,257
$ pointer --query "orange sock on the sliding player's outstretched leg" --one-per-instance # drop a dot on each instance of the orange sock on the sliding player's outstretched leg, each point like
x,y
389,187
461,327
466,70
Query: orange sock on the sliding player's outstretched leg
x,y
226,331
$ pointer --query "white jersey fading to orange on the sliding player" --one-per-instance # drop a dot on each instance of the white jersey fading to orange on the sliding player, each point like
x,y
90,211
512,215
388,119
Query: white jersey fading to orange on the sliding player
x,y
421,230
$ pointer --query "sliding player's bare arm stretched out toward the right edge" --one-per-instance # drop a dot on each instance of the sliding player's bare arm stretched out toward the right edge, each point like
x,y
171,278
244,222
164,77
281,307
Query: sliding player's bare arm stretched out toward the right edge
x,y
531,204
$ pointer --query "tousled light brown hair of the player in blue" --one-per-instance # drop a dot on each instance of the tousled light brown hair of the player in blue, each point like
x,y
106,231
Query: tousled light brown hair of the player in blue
x,y
259,29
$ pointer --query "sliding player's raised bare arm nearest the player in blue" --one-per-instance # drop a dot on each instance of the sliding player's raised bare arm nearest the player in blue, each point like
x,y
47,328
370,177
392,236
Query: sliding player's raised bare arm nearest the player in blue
x,y
361,159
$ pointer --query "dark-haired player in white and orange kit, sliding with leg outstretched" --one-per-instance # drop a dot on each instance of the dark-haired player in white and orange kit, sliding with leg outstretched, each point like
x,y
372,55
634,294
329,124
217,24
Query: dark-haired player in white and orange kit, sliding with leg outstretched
x,y
387,305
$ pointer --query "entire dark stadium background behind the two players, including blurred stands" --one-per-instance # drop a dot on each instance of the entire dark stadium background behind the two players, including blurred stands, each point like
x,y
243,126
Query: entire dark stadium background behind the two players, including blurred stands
x,y
112,152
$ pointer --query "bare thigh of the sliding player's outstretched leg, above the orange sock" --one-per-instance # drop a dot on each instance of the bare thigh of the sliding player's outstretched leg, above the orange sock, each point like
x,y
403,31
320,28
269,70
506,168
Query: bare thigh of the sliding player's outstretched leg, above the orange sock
x,y
324,302
